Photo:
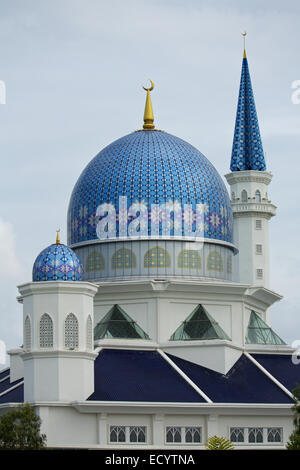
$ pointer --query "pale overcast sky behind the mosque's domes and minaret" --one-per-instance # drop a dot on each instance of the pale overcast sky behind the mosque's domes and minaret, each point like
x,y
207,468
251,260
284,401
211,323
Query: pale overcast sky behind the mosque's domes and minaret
x,y
73,71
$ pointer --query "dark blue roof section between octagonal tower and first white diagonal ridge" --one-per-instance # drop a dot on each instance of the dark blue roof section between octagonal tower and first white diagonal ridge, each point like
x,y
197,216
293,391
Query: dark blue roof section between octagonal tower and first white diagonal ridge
x,y
126,375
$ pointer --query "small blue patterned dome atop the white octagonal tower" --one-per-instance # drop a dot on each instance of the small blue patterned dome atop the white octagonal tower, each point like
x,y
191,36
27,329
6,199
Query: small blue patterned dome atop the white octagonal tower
x,y
57,262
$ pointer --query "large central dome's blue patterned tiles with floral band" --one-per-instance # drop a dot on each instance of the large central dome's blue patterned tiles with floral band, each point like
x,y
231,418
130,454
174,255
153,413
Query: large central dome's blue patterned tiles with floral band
x,y
149,179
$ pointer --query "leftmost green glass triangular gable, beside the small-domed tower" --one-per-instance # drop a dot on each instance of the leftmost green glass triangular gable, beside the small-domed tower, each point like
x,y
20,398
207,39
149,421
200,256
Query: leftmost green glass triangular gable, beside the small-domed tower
x,y
117,324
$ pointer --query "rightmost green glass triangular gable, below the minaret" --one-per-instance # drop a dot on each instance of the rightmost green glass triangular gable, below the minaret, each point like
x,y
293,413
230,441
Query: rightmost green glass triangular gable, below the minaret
x,y
260,333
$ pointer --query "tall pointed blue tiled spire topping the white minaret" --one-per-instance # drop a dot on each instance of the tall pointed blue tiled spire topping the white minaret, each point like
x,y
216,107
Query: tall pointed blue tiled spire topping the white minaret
x,y
247,149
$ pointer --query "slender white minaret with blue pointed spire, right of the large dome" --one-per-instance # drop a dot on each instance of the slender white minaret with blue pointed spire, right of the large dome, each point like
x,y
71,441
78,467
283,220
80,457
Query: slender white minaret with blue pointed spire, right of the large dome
x,y
249,182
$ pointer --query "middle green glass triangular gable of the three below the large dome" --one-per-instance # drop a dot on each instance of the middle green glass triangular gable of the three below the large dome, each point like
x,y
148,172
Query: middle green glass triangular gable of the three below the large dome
x,y
199,325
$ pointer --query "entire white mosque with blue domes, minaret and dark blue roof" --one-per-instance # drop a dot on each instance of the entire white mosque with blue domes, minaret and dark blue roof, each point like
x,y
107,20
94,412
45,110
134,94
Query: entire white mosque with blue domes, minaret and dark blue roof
x,y
151,328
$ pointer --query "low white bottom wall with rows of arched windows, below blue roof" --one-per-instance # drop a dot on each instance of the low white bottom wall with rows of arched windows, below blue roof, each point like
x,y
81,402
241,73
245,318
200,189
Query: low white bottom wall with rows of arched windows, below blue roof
x,y
66,426
